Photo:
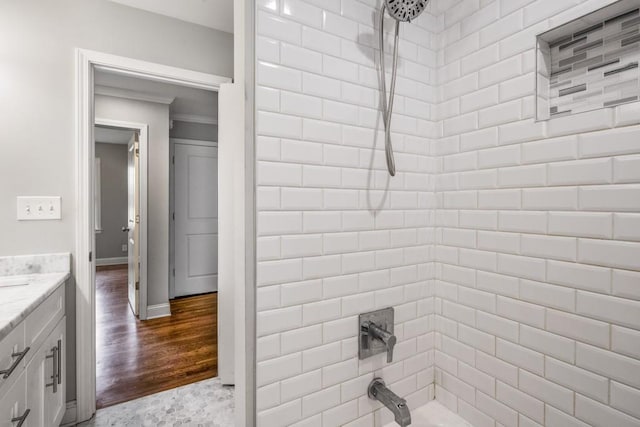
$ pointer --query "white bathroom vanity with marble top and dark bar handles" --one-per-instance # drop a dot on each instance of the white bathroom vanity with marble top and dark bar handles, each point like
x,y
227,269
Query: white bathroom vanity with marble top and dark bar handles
x,y
32,339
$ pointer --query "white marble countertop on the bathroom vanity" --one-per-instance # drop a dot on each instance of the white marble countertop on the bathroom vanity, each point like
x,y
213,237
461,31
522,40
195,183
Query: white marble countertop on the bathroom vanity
x,y
41,278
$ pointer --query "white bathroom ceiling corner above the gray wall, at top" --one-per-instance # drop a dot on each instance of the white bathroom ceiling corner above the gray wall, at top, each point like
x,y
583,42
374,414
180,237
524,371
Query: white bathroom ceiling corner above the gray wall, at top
x,y
216,14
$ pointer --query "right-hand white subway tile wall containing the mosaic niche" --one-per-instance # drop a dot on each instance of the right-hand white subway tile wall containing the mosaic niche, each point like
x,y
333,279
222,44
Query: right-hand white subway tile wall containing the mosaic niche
x,y
543,327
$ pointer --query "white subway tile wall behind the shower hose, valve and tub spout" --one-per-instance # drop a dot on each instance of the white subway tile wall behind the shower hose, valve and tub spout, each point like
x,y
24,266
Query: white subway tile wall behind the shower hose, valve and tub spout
x,y
337,236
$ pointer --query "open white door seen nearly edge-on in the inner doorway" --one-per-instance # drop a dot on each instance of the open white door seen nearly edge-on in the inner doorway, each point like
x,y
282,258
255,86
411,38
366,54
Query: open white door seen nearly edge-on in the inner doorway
x,y
133,219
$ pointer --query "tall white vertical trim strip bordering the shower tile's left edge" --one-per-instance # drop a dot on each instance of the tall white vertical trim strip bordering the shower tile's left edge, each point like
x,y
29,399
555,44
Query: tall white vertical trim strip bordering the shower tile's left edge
x,y
244,95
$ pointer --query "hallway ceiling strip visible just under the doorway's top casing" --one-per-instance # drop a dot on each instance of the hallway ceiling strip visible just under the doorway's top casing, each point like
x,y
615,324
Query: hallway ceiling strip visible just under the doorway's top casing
x,y
188,101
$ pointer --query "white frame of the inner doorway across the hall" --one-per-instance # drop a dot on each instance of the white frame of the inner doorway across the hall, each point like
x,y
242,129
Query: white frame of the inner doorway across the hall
x,y
143,133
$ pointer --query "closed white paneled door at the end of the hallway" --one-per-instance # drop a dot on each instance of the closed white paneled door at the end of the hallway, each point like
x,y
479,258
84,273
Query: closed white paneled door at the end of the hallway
x,y
196,221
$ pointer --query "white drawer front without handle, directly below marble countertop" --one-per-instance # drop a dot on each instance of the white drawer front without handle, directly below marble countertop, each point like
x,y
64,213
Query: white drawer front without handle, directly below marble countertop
x,y
40,323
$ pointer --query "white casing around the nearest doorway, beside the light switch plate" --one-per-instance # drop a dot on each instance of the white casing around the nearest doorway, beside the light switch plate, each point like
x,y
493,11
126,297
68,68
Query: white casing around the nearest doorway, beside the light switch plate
x,y
87,61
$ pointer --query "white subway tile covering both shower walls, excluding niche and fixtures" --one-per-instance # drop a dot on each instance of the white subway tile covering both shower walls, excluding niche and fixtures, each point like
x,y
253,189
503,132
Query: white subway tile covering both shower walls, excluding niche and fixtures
x,y
509,248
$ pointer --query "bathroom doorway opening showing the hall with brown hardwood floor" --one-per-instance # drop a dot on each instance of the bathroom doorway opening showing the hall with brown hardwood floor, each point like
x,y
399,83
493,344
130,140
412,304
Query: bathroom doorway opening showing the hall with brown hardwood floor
x,y
156,241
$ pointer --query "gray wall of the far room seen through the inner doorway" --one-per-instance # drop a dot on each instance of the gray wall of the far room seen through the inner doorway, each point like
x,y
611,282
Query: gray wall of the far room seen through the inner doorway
x,y
114,200
